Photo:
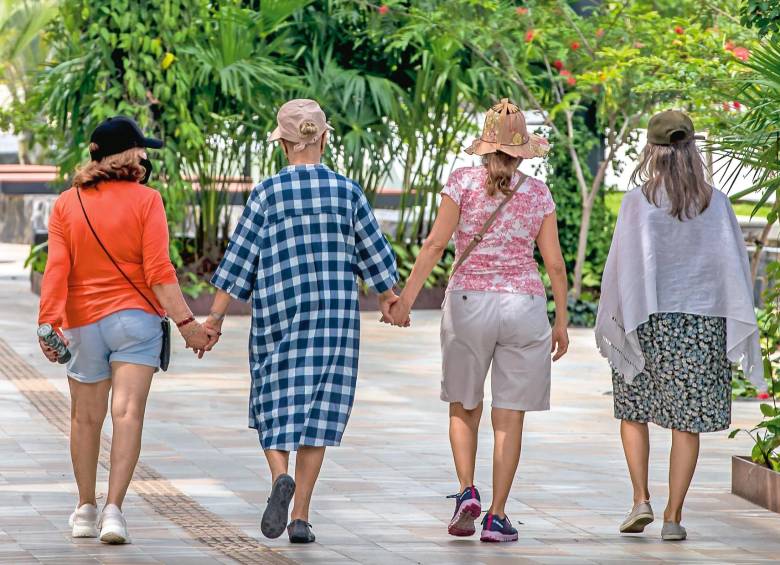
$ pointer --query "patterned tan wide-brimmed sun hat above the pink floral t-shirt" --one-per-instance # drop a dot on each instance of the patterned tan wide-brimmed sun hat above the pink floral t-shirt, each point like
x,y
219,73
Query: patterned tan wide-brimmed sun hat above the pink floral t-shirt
x,y
505,131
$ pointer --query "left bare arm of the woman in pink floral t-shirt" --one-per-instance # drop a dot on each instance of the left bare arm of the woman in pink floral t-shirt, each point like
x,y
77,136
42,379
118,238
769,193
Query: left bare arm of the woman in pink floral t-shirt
x,y
429,256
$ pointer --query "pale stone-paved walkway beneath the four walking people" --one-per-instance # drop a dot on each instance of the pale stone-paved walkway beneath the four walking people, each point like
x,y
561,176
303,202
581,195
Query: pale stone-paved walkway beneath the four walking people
x,y
381,495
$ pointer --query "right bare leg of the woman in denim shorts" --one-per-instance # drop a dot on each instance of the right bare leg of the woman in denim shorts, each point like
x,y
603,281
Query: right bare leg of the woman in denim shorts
x,y
128,404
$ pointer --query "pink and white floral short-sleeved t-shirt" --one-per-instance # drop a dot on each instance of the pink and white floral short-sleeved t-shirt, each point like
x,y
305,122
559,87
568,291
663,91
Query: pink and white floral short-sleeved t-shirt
x,y
504,260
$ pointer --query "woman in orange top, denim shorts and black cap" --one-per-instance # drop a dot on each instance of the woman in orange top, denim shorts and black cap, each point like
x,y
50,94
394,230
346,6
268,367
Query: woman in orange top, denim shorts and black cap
x,y
108,282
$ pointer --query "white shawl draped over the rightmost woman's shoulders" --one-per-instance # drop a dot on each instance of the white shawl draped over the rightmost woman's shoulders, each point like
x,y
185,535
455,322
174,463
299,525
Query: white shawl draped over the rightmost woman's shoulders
x,y
657,263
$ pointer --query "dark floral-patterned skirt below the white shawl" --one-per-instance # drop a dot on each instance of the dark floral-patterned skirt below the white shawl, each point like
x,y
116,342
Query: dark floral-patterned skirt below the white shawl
x,y
686,384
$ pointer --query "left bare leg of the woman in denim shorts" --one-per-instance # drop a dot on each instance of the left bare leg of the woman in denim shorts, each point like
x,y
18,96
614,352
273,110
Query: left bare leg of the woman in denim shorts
x,y
88,407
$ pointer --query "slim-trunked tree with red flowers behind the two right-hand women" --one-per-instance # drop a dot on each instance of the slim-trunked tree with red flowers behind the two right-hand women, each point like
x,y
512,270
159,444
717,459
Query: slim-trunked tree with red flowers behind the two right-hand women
x,y
624,58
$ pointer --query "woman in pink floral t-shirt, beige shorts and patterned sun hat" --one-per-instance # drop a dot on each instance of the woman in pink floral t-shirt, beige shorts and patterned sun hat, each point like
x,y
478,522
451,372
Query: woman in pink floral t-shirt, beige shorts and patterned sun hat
x,y
495,310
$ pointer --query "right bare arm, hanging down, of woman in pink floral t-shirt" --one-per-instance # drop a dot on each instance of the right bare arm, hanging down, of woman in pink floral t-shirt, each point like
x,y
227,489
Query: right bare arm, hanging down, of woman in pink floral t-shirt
x,y
550,248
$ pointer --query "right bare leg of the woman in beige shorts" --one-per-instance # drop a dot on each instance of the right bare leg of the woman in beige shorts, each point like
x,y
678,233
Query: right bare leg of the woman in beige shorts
x,y
508,437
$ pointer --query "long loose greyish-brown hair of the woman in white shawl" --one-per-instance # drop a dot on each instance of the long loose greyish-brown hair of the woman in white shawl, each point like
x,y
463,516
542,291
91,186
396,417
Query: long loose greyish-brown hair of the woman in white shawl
x,y
678,170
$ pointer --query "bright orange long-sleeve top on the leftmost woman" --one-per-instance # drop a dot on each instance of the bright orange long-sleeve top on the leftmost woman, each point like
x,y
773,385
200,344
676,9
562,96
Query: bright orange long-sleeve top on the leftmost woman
x,y
81,285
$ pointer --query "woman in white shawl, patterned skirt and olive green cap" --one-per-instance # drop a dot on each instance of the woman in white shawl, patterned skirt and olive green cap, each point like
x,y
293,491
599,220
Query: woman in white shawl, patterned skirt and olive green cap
x,y
676,309
